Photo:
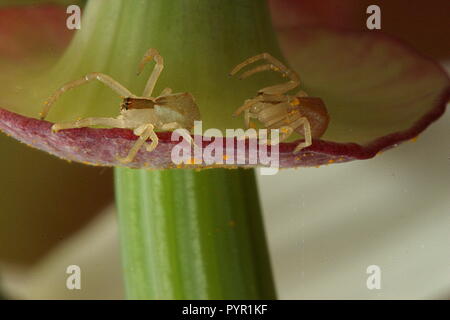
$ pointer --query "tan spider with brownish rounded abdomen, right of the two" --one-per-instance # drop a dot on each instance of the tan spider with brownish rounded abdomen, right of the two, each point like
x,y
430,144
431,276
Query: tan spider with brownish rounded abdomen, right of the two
x,y
277,110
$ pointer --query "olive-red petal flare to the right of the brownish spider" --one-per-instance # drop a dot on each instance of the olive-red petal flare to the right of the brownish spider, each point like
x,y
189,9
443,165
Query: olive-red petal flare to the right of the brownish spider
x,y
378,91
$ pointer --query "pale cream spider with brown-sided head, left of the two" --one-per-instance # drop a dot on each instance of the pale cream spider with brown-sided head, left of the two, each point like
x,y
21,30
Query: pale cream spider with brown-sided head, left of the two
x,y
168,111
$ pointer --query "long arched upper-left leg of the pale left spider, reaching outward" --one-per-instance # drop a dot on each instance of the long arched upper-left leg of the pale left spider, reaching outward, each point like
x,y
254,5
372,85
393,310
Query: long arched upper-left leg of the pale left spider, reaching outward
x,y
105,79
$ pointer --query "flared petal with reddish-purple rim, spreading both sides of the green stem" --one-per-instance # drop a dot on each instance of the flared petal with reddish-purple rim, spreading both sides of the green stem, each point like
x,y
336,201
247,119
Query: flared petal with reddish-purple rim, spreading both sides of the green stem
x,y
378,93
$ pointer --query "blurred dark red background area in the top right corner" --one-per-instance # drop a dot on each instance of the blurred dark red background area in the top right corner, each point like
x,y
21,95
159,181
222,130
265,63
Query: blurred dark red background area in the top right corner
x,y
424,25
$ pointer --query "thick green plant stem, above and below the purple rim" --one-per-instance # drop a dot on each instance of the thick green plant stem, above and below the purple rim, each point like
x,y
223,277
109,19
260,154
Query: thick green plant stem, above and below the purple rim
x,y
184,234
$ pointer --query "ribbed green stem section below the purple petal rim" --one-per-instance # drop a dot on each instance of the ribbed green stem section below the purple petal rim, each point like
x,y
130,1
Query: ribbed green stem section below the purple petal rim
x,y
192,235
